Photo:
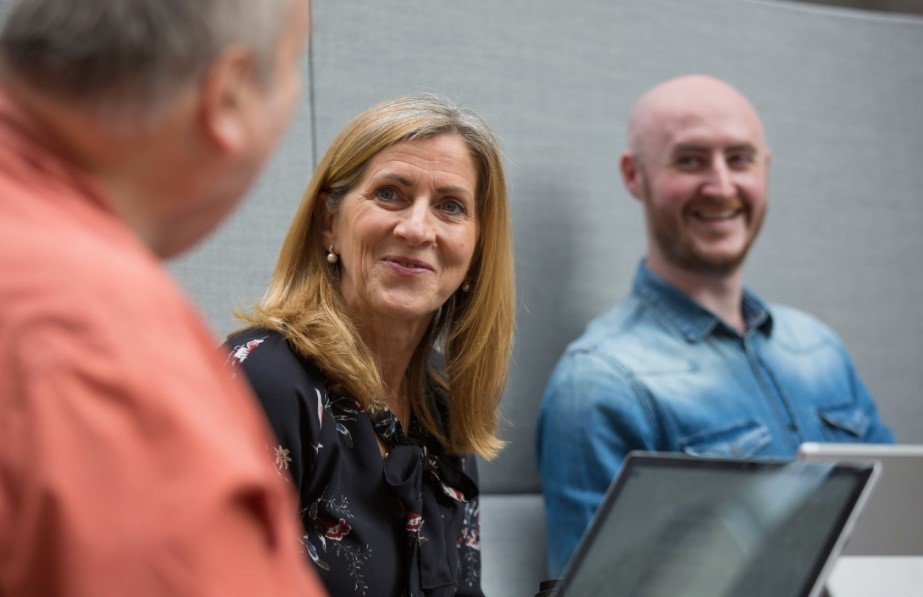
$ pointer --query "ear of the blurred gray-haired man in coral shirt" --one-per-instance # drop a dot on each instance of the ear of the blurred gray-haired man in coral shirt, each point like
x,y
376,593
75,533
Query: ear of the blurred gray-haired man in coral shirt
x,y
227,94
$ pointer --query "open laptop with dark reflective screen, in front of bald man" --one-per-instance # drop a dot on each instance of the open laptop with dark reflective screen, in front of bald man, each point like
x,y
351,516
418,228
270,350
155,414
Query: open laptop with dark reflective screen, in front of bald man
x,y
673,525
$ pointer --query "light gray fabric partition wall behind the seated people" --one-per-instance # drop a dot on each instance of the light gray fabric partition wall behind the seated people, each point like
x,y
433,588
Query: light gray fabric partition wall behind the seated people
x,y
839,91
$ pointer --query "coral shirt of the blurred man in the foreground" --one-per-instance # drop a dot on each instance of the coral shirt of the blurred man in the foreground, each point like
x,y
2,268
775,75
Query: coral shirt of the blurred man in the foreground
x,y
130,462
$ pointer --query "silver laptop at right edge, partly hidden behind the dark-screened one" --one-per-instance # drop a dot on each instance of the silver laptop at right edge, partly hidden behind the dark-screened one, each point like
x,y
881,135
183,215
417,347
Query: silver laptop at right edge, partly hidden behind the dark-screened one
x,y
891,522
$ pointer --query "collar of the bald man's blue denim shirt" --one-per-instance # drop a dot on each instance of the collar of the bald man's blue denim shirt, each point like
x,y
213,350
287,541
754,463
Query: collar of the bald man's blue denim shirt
x,y
691,319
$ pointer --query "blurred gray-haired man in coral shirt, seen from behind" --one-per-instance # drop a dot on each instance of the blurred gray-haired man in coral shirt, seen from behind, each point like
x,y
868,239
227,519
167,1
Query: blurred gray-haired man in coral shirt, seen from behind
x,y
130,462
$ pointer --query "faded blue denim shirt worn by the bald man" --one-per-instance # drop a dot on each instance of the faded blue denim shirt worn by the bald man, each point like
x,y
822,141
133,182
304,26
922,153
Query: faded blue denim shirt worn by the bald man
x,y
659,372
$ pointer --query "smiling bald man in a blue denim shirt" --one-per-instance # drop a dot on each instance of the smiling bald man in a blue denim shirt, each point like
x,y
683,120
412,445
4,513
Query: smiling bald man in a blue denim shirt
x,y
692,361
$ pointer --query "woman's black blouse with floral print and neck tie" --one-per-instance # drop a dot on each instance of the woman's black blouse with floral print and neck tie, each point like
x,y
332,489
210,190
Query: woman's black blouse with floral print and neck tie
x,y
405,525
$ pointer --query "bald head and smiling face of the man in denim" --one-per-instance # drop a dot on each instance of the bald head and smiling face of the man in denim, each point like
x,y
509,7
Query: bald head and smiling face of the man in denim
x,y
701,165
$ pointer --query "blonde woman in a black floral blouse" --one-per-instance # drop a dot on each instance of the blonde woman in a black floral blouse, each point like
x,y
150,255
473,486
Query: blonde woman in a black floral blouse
x,y
380,349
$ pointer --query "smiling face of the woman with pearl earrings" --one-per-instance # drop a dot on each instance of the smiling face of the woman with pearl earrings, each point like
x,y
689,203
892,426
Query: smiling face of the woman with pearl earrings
x,y
406,231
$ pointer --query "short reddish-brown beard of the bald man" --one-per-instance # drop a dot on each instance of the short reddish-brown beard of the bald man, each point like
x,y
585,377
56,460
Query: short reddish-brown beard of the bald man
x,y
679,248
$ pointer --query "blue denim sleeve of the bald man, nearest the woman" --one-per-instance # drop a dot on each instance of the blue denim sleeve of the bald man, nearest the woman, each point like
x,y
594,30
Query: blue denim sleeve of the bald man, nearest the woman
x,y
590,418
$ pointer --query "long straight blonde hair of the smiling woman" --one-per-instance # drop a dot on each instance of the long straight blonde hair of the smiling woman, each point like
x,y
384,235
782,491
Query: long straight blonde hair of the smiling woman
x,y
473,329
